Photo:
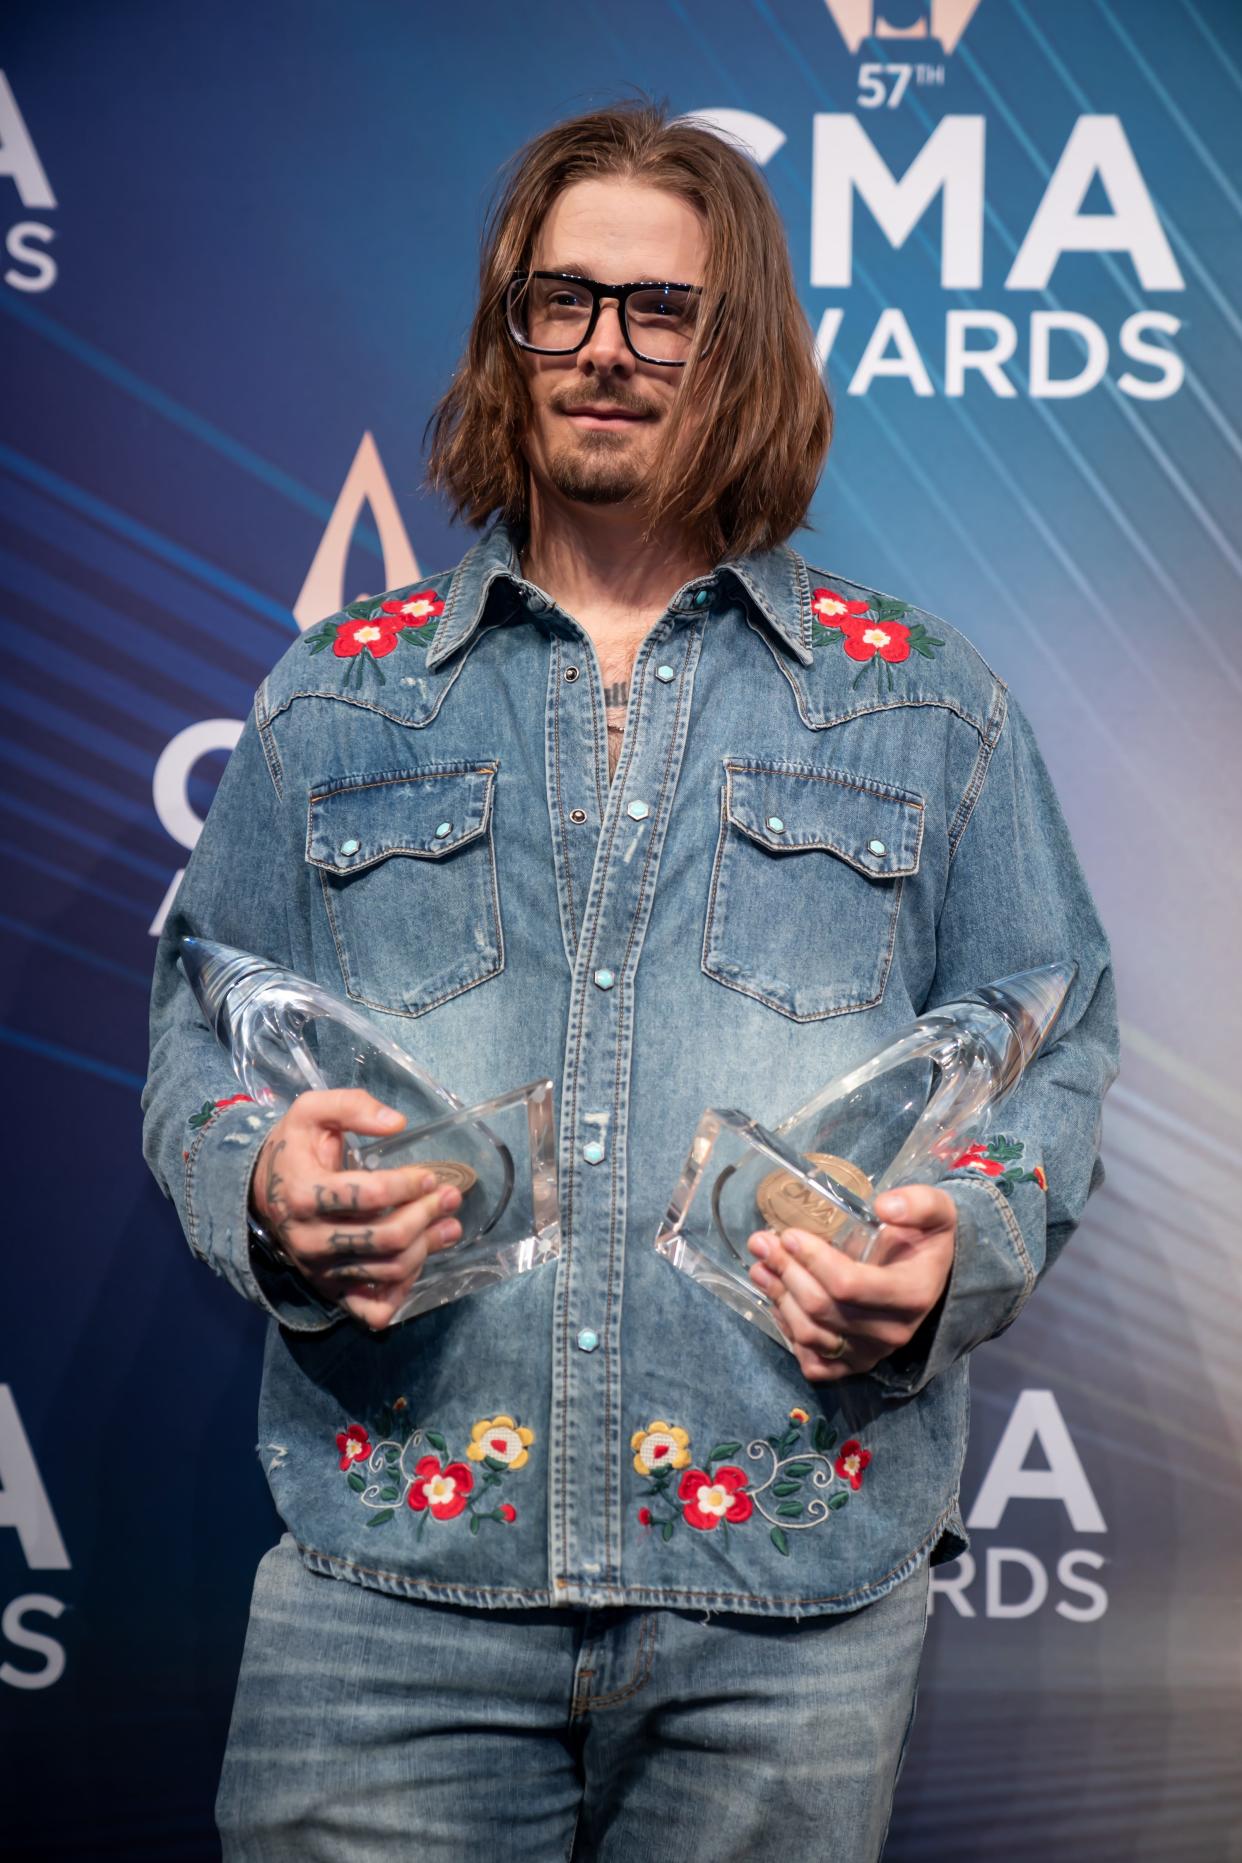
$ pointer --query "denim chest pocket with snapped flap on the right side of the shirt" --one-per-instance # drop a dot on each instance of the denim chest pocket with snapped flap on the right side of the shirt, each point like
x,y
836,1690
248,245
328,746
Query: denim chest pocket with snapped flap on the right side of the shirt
x,y
807,886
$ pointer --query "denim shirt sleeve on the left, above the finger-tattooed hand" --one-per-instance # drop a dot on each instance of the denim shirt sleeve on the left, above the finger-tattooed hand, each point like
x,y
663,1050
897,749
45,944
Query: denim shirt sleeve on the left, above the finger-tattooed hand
x,y
202,1135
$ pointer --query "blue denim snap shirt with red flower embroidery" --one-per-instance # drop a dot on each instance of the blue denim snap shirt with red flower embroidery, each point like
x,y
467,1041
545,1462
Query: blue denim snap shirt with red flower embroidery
x,y
602,1430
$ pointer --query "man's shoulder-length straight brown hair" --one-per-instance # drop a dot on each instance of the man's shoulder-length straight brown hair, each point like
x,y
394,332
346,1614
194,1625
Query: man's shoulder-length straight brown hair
x,y
751,424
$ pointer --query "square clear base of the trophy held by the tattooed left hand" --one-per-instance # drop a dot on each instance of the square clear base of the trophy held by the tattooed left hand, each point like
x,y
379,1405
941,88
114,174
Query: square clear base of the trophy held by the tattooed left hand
x,y
502,1158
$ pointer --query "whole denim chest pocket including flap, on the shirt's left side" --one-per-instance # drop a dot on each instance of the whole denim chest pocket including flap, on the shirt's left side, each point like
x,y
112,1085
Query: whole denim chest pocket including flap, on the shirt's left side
x,y
409,880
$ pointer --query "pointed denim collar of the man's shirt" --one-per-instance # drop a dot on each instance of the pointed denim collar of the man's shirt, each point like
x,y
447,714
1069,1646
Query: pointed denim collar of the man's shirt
x,y
774,584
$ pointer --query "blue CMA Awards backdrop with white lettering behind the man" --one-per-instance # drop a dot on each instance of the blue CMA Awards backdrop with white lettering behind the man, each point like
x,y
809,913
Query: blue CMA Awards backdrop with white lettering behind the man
x,y
239,252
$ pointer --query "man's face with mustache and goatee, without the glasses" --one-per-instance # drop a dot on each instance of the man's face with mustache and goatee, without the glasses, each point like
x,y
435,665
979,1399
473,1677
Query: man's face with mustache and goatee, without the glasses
x,y
597,416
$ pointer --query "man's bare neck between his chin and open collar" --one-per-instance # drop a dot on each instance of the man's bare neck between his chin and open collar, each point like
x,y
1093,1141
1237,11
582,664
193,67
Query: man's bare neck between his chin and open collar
x,y
597,565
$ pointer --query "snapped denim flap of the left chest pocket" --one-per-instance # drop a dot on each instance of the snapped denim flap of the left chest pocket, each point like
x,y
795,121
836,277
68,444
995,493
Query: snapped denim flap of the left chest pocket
x,y
425,813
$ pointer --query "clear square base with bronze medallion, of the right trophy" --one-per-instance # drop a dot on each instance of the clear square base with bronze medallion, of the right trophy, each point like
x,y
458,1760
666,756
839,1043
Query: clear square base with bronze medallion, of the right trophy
x,y
740,1178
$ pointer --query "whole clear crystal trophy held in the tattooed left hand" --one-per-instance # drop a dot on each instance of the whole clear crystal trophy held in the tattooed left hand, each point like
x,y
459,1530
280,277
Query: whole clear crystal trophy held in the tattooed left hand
x,y
288,1035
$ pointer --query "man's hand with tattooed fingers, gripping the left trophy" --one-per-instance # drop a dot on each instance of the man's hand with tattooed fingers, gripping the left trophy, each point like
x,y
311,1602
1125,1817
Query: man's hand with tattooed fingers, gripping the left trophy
x,y
360,1238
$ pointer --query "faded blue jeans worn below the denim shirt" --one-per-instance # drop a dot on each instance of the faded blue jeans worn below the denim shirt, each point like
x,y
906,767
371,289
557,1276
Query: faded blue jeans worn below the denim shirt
x,y
370,1726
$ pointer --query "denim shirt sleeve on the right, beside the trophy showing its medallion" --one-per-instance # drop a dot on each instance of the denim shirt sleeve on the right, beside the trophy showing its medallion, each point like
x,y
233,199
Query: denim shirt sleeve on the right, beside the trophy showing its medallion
x,y
1018,899
